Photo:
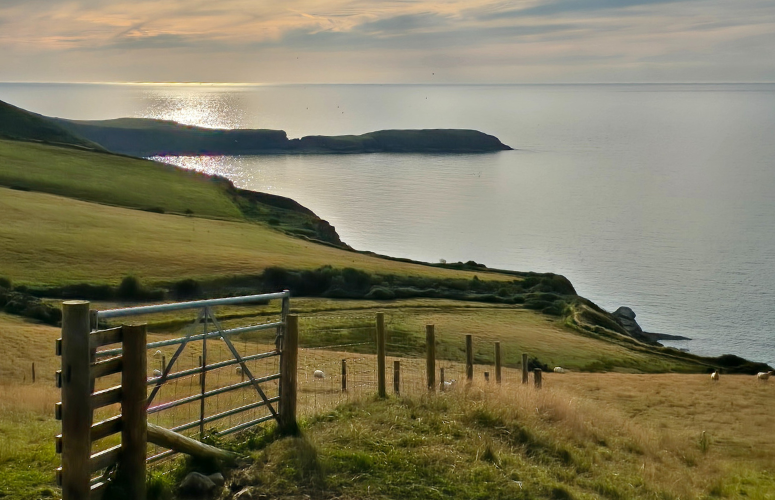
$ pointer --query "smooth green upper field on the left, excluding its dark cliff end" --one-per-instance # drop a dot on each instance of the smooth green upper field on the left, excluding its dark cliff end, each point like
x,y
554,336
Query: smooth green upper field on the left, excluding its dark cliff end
x,y
112,180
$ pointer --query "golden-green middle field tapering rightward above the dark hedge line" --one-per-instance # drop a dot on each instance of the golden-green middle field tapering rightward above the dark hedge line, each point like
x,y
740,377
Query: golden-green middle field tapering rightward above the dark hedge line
x,y
50,240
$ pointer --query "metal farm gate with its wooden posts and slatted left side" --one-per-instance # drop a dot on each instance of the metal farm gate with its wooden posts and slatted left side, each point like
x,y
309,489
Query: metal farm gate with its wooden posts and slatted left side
x,y
106,405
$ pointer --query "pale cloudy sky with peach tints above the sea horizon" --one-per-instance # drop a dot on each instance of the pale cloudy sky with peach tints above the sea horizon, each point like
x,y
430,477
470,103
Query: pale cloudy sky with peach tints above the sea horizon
x,y
402,41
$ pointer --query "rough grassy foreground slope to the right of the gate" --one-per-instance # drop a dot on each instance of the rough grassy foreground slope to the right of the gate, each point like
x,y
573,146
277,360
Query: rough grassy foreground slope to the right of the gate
x,y
518,443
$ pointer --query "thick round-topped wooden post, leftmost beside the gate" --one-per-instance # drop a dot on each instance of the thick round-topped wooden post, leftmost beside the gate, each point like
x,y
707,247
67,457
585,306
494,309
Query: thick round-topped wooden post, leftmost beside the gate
x,y
76,401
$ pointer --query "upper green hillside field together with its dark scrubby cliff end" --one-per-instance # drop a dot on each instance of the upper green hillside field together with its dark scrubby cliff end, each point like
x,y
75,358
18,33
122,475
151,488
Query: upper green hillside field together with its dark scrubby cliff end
x,y
152,186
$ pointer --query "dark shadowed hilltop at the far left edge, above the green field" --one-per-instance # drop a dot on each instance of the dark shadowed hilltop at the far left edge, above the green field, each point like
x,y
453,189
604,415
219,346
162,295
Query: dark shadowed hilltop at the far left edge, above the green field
x,y
17,123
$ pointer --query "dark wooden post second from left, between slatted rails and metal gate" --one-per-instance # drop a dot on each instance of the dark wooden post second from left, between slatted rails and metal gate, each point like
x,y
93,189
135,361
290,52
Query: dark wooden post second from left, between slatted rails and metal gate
x,y
134,432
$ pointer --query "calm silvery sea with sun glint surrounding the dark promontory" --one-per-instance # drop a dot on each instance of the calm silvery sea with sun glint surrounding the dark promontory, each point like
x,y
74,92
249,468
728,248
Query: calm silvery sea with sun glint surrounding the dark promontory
x,y
658,197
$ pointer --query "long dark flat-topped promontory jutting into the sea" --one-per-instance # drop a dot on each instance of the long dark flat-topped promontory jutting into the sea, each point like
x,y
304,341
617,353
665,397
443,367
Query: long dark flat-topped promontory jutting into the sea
x,y
147,137
